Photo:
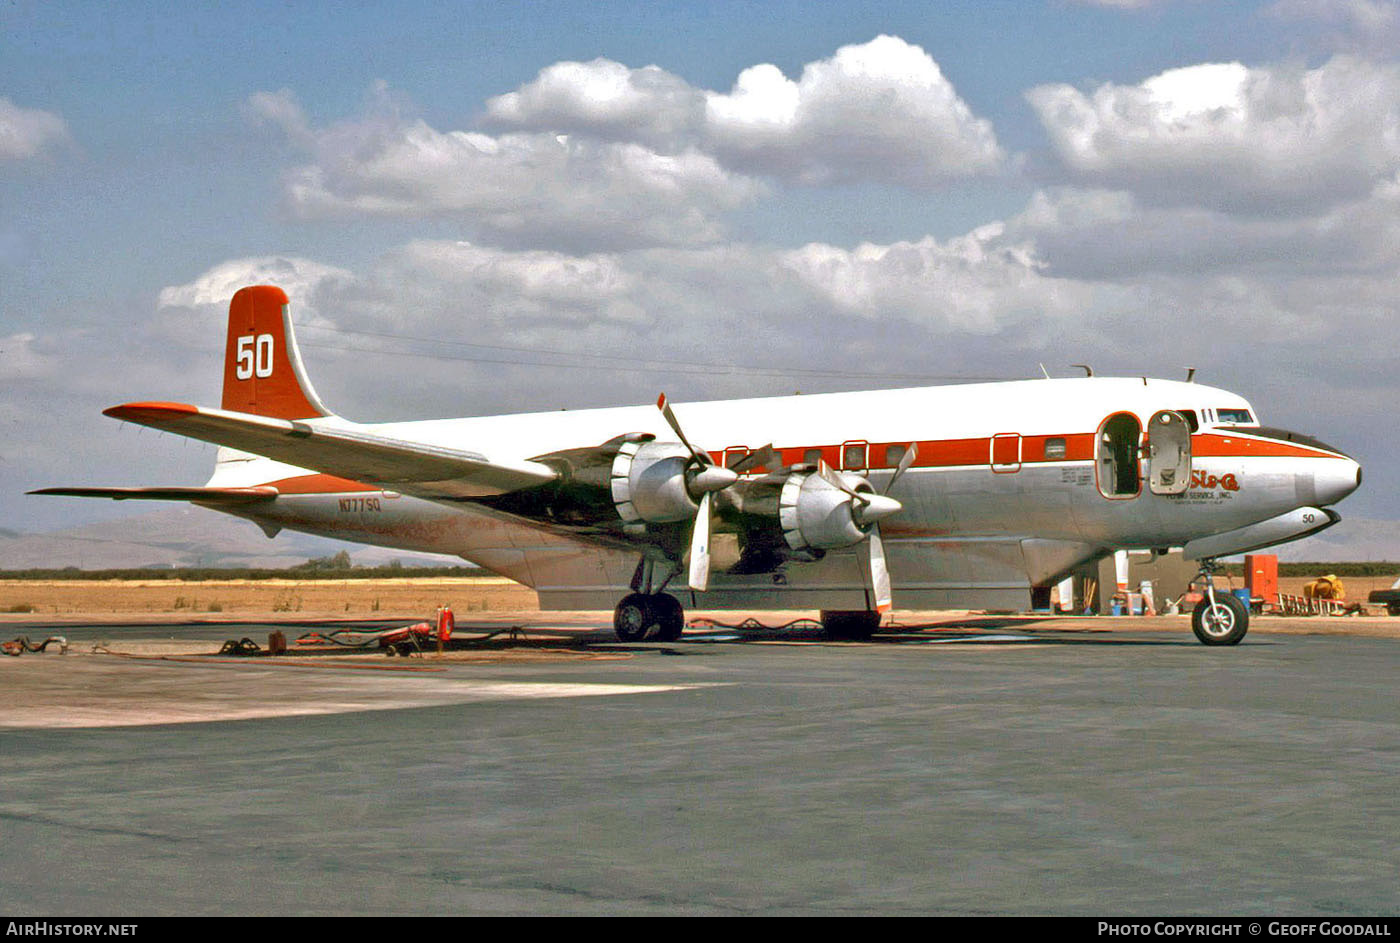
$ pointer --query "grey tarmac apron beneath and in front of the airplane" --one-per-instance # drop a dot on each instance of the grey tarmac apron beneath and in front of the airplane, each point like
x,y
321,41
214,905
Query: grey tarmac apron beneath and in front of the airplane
x,y
951,766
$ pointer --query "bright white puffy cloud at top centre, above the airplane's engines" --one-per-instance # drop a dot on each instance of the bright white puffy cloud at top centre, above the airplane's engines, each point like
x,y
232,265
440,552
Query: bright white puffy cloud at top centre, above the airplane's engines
x,y
880,111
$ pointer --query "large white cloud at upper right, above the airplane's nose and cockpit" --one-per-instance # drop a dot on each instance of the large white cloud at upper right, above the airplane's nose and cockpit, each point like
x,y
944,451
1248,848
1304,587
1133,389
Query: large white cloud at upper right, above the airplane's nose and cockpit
x,y
1270,141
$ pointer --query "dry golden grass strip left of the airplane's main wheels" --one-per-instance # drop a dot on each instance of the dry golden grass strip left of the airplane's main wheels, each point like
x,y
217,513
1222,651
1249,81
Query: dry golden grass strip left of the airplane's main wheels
x,y
407,598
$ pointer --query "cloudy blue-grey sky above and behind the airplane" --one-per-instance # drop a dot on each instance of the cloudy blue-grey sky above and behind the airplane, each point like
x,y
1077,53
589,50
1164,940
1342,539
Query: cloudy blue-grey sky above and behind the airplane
x,y
489,208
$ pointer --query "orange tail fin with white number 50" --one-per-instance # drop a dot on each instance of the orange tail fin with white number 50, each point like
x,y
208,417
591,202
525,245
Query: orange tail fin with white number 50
x,y
262,367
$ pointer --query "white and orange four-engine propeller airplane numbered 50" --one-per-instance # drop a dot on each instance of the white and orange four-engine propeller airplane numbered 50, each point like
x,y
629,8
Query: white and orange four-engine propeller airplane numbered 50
x,y
976,496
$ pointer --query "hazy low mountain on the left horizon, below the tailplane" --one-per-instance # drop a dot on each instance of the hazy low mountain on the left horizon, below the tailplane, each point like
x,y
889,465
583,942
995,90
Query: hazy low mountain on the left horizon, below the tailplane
x,y
185,537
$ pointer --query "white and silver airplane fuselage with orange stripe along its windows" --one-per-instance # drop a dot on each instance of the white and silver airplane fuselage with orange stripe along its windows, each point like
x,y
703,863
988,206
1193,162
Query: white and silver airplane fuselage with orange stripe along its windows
x,y
1013,488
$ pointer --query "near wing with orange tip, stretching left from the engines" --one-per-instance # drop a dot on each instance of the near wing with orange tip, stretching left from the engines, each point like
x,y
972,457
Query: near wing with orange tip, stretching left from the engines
x,y
412,468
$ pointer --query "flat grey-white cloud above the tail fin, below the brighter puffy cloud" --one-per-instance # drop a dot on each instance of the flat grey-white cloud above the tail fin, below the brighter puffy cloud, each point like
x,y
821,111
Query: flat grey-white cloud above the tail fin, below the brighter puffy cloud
x,y
519,188
